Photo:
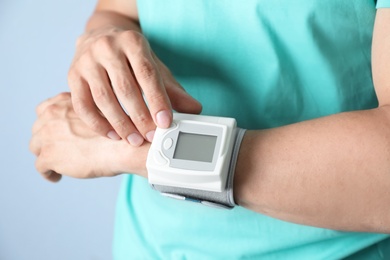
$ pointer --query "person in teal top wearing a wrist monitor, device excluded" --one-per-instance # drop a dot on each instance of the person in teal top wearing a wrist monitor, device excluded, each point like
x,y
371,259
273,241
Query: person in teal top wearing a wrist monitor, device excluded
x,y
299,74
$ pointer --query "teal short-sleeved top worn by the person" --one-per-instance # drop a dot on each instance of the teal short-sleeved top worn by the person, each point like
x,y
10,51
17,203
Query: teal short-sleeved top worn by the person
x,y
267,64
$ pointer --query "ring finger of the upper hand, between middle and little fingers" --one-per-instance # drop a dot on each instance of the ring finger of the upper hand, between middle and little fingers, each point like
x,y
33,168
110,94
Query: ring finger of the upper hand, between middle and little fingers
x,y
108,104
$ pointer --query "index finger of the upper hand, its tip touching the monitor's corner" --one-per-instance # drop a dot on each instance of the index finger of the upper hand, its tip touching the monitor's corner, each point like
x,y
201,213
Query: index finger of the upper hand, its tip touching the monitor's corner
x,y
149,79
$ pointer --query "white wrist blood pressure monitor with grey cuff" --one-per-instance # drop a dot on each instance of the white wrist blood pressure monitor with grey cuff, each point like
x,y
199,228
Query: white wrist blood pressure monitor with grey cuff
x,y
195,158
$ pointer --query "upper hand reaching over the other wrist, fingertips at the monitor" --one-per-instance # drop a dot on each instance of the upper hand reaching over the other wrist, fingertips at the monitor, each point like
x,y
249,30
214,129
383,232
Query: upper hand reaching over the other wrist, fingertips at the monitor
x,y
114,66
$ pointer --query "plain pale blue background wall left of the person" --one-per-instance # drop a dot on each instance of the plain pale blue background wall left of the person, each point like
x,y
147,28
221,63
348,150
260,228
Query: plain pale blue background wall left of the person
x,y
40,220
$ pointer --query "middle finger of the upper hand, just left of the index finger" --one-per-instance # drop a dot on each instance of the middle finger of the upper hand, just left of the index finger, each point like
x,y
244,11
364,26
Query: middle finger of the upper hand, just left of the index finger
x,y
128,92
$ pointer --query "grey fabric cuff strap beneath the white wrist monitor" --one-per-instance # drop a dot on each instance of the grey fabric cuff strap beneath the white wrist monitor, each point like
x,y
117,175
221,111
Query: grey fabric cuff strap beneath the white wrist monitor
x,y
224,199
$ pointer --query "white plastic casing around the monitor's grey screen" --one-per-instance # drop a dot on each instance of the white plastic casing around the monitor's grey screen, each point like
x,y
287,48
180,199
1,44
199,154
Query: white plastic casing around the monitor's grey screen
x,y
164,169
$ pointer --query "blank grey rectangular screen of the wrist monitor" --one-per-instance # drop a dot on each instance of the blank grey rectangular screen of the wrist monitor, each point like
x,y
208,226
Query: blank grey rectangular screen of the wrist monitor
x,y
194,147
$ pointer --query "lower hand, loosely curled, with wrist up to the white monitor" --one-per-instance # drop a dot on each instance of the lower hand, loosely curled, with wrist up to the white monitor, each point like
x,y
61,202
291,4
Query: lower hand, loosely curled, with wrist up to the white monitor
x,y
64,145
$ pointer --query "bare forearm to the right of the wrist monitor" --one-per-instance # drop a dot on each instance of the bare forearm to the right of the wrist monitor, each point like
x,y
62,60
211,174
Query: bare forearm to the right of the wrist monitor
x,y
332,172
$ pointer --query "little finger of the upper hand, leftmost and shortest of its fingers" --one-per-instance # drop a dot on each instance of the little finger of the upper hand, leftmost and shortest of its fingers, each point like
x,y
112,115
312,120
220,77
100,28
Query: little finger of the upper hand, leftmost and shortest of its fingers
x,y
86,109
